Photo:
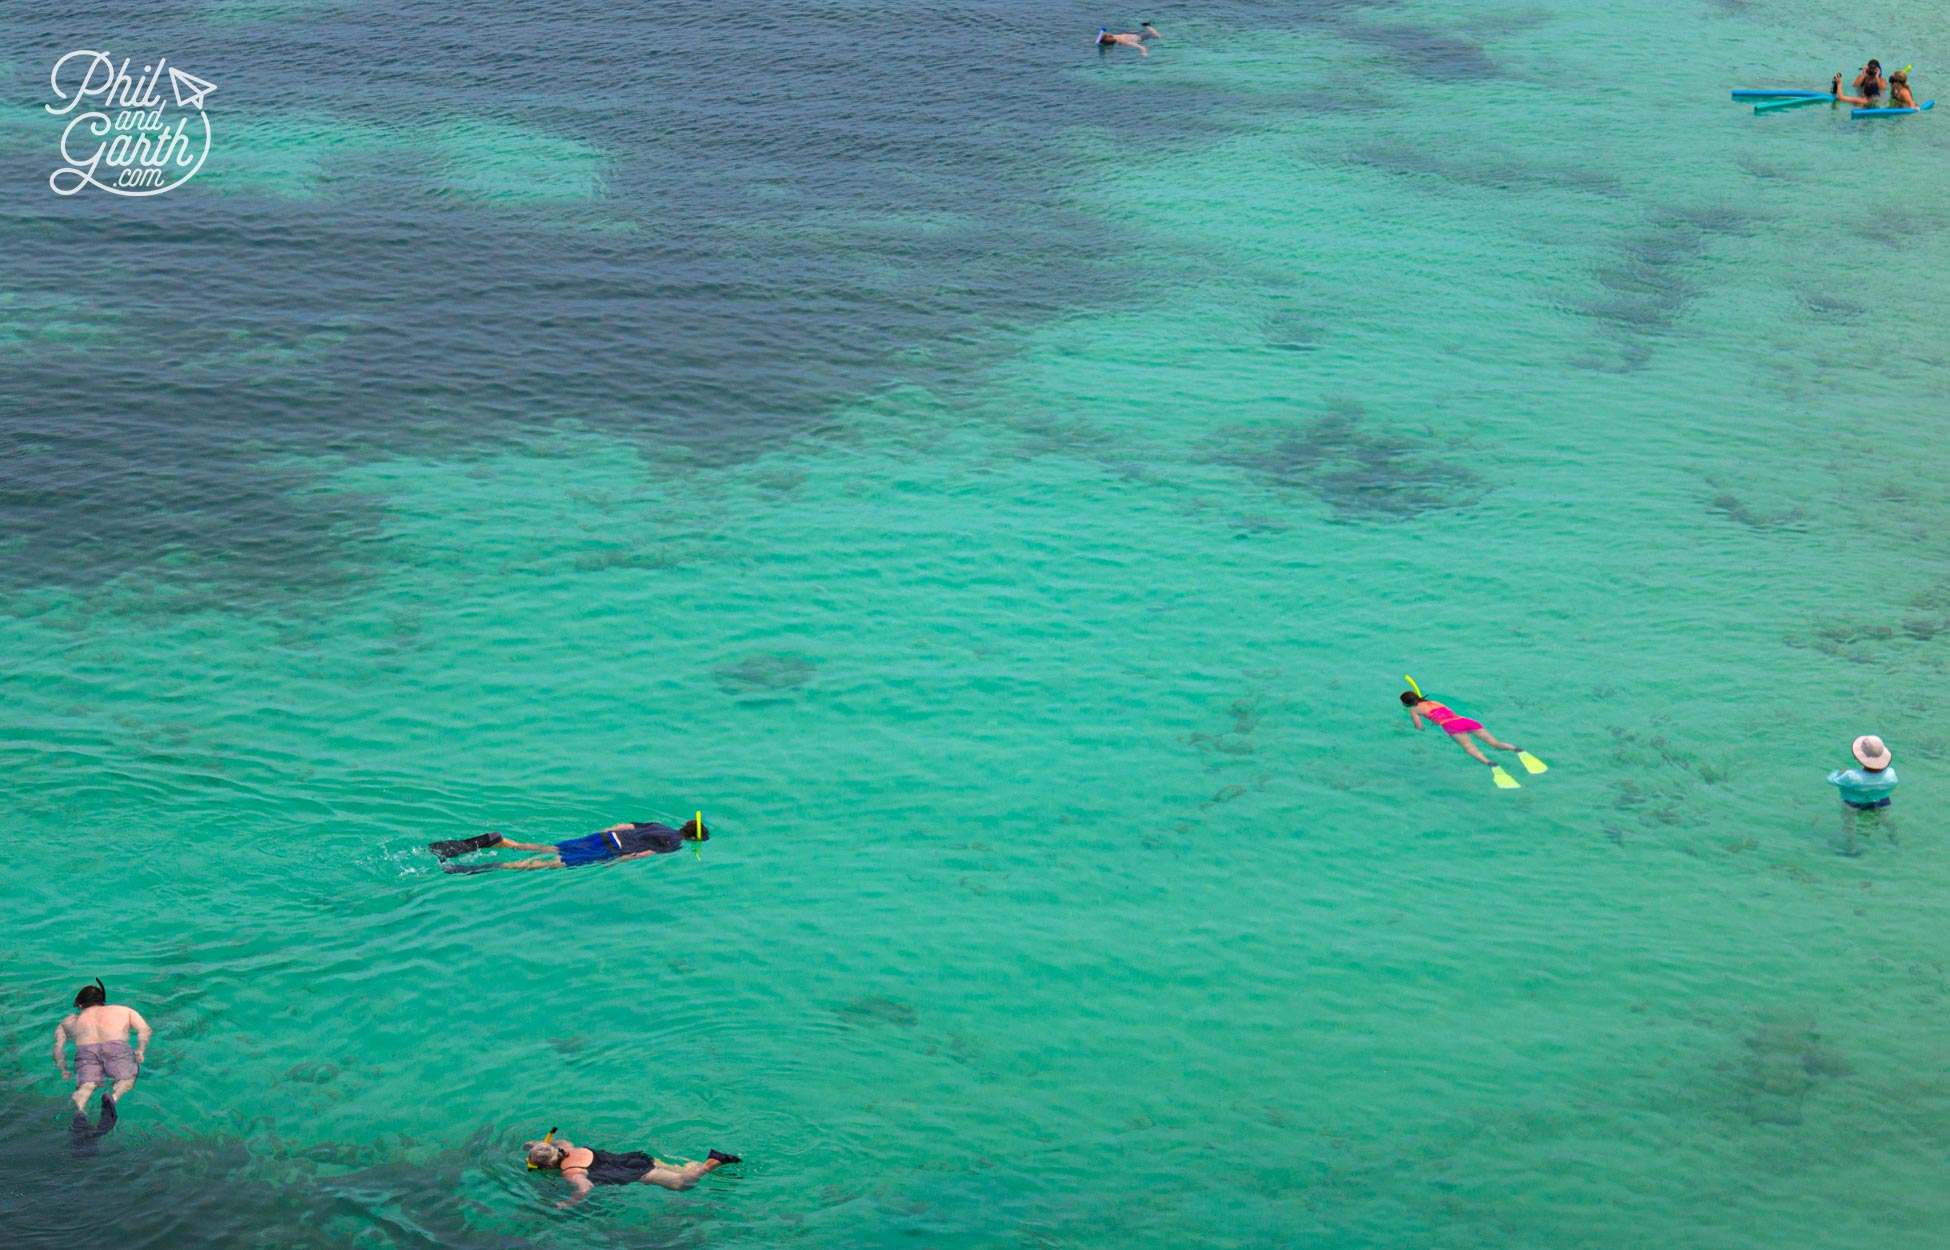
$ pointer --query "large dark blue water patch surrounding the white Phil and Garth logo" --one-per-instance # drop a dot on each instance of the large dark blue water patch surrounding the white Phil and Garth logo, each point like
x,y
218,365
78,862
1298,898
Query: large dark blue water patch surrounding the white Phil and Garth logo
x,y
685,225
